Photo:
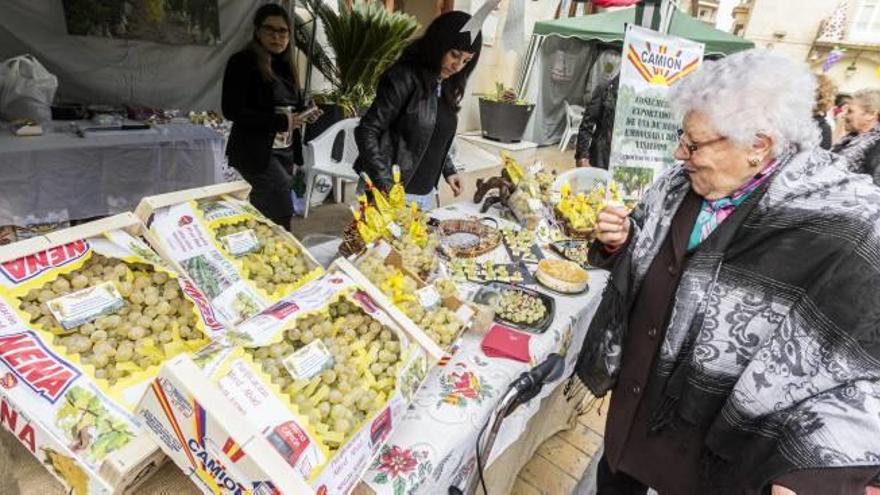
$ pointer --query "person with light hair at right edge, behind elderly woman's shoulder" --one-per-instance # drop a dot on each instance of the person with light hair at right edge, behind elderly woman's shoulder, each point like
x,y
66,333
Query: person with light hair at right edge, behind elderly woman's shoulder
x,y
861,146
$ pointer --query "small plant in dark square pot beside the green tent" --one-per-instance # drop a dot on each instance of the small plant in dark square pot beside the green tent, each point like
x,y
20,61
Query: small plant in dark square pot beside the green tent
x,y
503,116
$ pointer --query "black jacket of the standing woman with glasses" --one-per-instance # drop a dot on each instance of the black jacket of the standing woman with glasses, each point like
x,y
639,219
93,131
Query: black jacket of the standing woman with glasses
x,y
249,102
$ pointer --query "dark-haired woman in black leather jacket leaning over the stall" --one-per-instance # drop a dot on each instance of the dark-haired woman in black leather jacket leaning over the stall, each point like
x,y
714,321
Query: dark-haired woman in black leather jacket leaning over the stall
x,y
413,118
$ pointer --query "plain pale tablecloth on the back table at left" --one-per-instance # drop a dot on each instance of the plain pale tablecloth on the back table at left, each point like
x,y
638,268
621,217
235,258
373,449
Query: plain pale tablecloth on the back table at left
x,y
59,176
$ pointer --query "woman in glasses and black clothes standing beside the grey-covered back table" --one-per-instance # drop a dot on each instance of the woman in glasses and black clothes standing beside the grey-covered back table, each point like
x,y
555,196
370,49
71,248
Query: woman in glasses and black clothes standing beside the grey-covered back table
x,y
258,82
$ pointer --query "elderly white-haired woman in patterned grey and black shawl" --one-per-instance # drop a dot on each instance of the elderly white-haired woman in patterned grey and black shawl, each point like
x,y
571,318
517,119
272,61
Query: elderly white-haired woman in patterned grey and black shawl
x,y
739,333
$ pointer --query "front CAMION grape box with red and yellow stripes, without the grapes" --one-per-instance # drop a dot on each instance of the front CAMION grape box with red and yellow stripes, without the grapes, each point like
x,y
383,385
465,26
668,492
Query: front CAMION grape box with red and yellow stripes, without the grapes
x,y
223,409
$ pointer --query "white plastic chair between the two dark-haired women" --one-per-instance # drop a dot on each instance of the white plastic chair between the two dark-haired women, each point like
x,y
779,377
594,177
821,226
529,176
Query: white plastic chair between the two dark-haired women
x,y
317,155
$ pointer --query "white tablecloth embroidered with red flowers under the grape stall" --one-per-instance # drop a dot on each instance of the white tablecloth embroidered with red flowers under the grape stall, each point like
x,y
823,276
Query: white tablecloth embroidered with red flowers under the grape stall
x,y
434,445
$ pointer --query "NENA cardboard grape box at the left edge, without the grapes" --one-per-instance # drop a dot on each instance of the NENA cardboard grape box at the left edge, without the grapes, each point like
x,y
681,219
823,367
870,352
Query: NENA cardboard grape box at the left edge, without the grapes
x,y
80,426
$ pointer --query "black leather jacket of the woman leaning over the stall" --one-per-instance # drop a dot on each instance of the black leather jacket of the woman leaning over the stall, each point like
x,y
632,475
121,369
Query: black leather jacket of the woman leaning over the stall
x,y
397,128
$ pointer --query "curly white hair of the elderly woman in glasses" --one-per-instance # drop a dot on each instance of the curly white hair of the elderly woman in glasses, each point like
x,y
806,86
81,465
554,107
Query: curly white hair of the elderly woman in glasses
x,y
750,93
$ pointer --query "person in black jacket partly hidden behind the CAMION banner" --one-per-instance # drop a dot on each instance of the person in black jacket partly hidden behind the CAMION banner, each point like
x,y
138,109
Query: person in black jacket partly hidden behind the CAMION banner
x,y
593,147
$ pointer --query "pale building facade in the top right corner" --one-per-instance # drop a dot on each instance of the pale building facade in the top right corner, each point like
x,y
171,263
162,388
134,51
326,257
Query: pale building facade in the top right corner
x,y
810,30
